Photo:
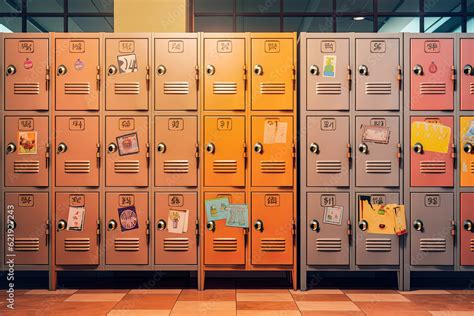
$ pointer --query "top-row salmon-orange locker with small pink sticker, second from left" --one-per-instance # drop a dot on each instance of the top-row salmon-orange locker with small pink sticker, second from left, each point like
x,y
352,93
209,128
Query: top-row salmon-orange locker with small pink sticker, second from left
x,y
77,67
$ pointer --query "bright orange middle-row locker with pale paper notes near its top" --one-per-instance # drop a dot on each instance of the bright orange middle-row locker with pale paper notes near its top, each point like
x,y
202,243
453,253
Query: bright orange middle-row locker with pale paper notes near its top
x,y
273,151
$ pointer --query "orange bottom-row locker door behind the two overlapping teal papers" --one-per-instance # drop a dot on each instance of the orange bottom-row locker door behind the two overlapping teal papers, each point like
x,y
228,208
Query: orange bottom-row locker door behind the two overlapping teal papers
x,y
224,245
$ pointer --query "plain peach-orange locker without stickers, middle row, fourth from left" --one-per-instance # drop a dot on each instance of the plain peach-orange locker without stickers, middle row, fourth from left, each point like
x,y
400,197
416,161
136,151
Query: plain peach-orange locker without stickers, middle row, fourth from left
x,y
177,151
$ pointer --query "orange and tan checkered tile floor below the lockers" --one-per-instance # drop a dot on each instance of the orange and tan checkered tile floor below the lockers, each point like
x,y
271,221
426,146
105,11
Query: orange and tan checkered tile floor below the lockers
x,y
240,302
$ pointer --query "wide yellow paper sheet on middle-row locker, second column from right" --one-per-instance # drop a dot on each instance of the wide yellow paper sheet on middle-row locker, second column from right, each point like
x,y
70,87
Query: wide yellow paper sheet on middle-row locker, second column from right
x,y
434,137
